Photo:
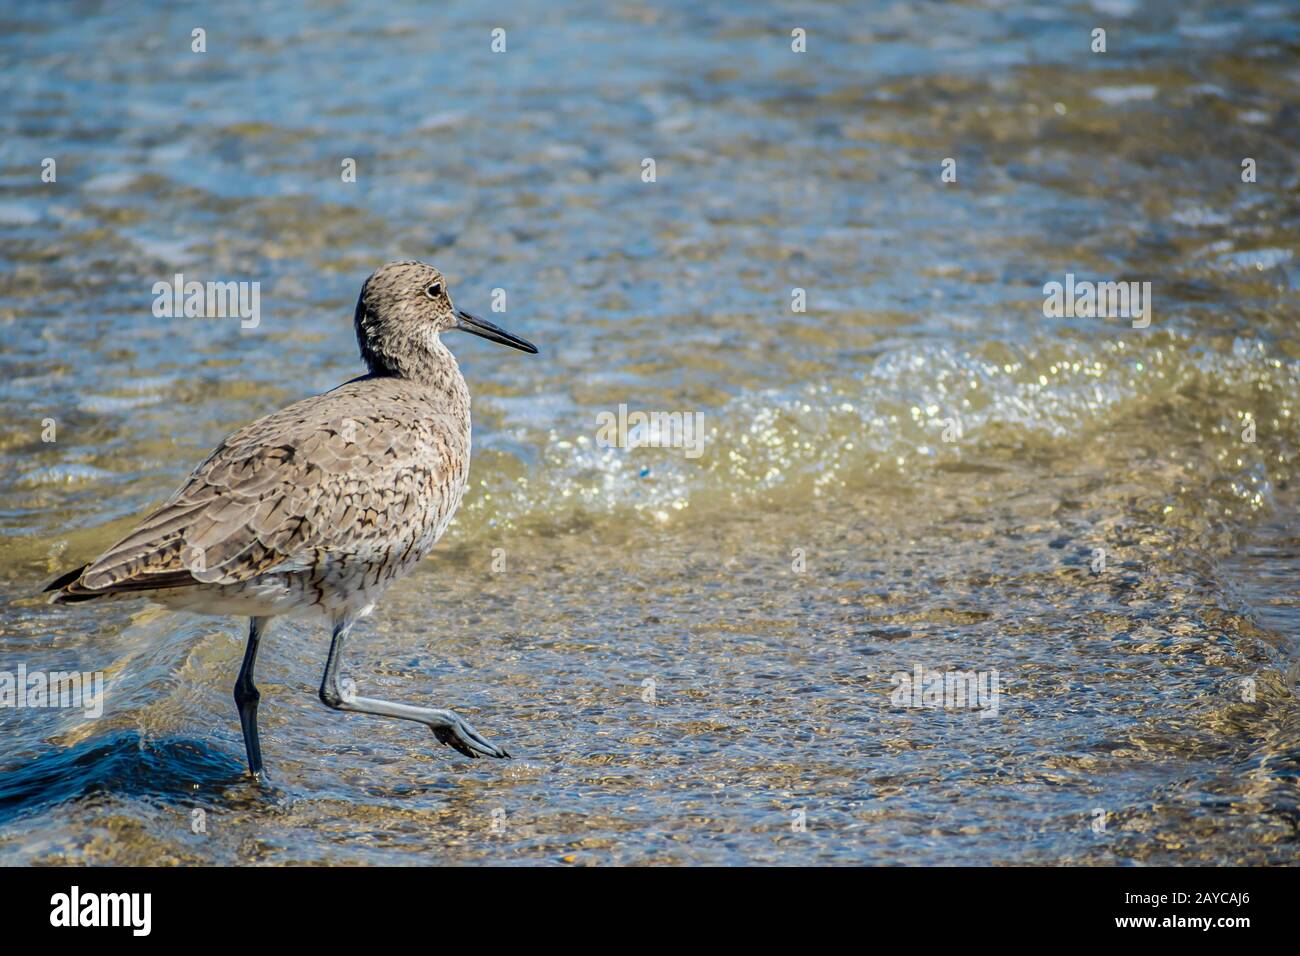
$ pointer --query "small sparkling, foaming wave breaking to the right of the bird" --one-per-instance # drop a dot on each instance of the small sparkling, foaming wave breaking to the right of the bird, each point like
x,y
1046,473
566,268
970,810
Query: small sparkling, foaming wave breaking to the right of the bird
x,y
912,413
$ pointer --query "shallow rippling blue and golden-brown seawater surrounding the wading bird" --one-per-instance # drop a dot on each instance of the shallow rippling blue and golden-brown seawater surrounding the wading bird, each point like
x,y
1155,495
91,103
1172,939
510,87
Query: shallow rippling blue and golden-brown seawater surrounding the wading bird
x,y
694,659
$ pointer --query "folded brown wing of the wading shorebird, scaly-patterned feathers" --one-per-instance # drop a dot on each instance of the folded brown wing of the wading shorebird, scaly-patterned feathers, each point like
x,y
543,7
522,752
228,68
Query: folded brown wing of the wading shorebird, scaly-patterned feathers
x,y
324,473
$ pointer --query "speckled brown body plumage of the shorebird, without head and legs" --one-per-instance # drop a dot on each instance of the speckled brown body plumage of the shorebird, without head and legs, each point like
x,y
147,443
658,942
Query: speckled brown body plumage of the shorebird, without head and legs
x,y
330,495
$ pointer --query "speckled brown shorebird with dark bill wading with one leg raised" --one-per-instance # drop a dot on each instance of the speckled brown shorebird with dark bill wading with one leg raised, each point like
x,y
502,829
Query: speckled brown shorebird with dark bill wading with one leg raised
x,y
318,508
